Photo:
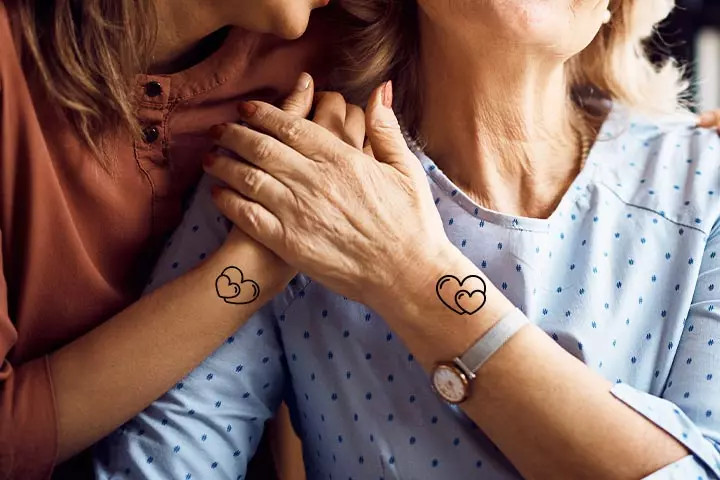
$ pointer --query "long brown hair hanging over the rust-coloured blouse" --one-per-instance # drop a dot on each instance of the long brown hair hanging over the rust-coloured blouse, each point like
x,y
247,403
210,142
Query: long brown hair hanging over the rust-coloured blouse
x,y
86,52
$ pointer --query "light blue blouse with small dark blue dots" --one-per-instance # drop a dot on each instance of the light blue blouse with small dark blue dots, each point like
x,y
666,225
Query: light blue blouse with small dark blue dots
x,y
625,275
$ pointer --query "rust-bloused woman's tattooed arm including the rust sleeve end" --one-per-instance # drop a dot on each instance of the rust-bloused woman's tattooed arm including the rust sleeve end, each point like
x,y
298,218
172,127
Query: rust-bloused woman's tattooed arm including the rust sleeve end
x,y
56,406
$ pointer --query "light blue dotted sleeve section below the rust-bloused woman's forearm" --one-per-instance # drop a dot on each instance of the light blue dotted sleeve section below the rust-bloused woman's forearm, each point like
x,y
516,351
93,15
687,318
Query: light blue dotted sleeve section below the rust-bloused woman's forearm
x,y
211,422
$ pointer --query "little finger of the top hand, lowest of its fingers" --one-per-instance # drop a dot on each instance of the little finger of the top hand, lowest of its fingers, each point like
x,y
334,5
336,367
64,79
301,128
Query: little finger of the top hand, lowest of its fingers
x,y
250,217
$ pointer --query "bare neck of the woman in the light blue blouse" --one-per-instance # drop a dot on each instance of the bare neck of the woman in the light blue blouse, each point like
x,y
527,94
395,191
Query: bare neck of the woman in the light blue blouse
x,y
498,121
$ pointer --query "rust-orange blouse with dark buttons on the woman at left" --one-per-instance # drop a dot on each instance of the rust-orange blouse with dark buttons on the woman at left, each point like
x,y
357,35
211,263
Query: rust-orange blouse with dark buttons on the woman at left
x,y
77,242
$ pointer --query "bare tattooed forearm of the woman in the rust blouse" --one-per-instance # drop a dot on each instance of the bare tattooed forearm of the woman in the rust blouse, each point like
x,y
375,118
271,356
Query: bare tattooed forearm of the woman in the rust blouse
x,y
109,375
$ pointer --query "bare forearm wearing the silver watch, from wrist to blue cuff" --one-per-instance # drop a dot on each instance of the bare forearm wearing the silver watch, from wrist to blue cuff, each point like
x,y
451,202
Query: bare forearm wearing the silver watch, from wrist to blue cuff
x,y
547,411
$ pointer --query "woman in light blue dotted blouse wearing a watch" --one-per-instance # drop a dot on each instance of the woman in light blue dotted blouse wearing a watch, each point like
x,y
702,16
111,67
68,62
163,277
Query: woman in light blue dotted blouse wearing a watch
x,y
412,270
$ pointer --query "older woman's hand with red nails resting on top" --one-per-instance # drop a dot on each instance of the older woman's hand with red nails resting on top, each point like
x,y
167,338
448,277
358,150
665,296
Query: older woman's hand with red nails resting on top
x,y
354,223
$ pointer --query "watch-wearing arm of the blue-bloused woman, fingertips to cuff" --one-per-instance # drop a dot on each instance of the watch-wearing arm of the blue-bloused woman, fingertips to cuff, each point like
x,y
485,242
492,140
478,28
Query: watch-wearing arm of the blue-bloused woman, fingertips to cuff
x,y
608,431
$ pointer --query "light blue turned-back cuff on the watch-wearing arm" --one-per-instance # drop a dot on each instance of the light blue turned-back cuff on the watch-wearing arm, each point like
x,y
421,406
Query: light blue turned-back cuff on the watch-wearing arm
x,y
704,463
